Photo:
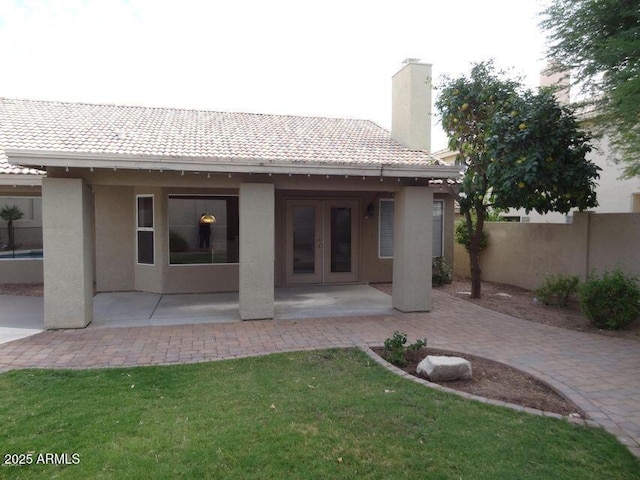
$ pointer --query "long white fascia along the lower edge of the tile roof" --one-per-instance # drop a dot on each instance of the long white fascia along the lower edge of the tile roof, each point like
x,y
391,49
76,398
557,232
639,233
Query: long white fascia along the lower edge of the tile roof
x,y
40,158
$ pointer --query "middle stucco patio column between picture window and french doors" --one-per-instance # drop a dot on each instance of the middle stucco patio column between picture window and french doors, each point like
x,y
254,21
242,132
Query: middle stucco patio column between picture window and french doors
x,y
257,250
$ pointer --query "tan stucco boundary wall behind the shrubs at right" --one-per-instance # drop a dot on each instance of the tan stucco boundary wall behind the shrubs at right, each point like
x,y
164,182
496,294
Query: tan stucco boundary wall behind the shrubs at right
x,y
522,254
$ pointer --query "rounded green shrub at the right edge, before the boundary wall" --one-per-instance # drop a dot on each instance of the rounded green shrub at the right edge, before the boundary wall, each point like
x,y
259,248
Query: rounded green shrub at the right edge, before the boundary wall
x,y
612,301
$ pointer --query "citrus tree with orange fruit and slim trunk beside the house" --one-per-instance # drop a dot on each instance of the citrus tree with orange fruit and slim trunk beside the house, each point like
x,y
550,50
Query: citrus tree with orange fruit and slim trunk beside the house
x,y
520,149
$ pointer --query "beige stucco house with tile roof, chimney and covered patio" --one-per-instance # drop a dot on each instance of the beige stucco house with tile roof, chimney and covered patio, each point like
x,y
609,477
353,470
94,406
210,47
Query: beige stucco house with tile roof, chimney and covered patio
x,y
290,200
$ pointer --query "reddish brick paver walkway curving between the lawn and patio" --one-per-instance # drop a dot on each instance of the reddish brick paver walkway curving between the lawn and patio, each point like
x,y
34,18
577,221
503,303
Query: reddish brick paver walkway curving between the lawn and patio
x,y
599,374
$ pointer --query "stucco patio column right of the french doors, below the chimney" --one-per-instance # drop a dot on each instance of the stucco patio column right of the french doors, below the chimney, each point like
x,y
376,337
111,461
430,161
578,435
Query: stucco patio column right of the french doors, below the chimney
x,y
412,250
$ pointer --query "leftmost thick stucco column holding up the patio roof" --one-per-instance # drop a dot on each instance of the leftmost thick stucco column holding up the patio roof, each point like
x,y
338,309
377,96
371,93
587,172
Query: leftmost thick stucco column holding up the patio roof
x,y
67,216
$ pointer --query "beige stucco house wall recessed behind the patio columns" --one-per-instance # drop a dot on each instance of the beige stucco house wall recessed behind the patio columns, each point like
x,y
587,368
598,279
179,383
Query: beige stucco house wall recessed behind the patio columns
x,y
115,228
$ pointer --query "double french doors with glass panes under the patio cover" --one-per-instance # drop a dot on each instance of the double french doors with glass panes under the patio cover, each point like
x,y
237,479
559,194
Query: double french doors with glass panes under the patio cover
x,y
321,241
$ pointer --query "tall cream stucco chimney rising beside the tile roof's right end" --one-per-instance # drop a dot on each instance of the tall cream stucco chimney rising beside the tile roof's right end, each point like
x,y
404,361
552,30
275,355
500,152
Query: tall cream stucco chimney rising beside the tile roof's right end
x,y
411,105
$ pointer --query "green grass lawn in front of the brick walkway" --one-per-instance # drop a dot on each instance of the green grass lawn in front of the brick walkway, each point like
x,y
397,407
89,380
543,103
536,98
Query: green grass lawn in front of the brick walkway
x,y
309,415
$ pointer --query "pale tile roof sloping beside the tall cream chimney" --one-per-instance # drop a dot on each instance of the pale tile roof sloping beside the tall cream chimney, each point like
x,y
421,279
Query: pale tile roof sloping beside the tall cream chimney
x,y
166,132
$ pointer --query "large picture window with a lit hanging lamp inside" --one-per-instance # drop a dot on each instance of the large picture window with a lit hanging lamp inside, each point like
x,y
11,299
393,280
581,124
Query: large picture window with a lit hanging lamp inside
x,y
203,229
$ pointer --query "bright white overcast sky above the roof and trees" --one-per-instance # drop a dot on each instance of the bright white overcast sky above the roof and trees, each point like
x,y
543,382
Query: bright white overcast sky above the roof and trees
x,y
332,58
